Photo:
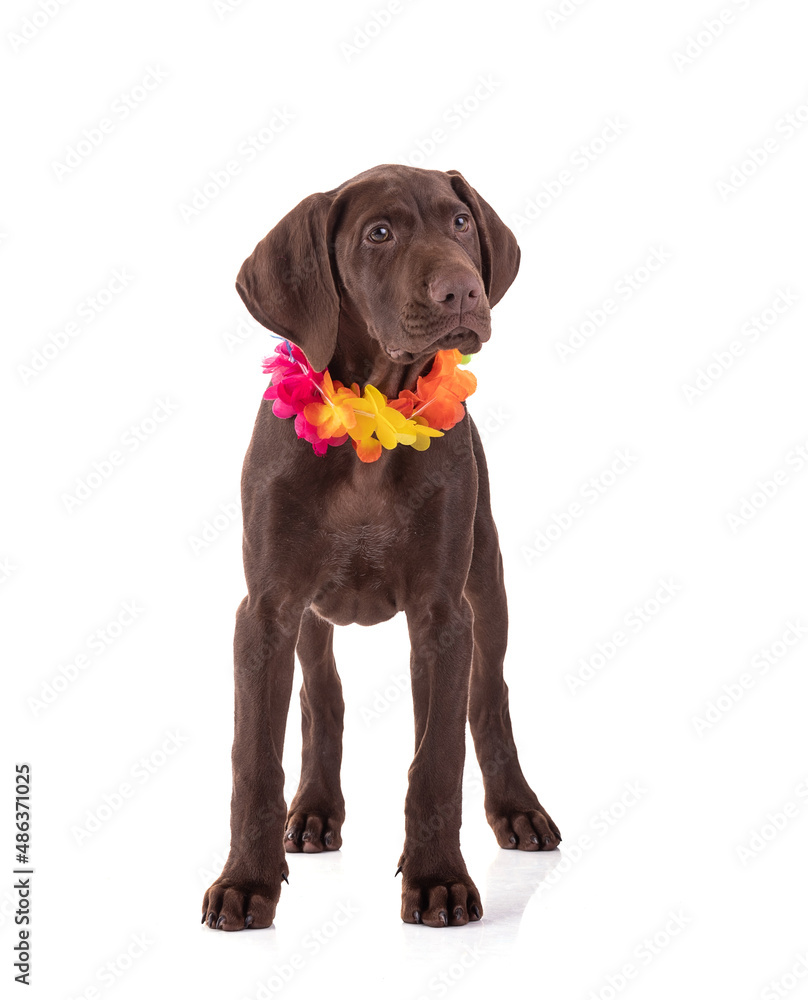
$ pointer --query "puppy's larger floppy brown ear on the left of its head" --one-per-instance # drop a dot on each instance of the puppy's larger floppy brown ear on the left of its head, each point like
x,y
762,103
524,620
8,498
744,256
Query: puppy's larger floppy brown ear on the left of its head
x,y
288,283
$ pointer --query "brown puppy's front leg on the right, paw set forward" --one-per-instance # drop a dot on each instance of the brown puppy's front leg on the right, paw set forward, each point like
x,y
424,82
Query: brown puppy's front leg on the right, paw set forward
x,y
437,889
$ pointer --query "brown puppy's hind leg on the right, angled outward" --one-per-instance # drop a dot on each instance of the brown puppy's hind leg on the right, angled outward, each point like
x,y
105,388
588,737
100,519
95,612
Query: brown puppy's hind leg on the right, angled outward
x,y
515,814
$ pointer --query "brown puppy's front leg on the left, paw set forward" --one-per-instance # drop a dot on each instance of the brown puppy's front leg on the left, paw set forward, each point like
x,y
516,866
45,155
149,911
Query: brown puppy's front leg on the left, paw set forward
x,y
247,891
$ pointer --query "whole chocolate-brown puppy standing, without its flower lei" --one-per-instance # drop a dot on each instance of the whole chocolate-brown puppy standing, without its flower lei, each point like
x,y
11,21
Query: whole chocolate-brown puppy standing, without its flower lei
x,y
371,280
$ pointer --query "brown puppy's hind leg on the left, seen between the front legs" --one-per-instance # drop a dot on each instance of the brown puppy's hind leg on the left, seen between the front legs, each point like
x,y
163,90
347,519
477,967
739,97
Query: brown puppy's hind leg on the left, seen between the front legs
x,y
317,811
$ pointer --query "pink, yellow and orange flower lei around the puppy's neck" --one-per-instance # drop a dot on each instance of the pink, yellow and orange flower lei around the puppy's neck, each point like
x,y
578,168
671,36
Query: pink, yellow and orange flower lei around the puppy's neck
x,y
327,413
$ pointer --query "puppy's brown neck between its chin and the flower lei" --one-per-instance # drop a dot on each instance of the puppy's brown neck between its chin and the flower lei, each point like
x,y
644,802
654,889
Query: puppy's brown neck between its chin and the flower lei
x,y
360,358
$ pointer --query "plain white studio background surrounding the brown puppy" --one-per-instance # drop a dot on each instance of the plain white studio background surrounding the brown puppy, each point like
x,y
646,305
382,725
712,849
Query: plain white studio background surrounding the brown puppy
x,y
557,925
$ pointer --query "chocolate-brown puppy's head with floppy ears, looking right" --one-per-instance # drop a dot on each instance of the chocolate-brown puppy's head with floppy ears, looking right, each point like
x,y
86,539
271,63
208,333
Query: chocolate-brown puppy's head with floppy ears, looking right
x,y
416,256
